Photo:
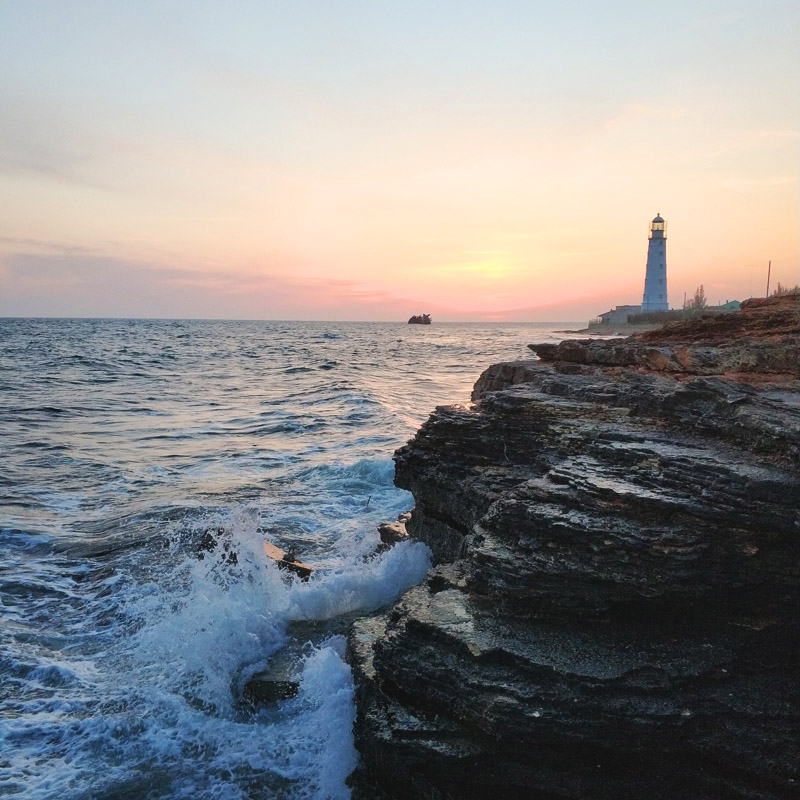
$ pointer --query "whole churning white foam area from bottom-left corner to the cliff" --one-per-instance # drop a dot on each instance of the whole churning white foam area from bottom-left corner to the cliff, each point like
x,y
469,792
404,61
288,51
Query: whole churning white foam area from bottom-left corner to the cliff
x,y
156,711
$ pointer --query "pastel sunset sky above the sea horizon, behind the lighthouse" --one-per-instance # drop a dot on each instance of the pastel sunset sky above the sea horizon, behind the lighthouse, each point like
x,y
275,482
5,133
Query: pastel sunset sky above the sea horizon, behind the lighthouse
x,y
369,160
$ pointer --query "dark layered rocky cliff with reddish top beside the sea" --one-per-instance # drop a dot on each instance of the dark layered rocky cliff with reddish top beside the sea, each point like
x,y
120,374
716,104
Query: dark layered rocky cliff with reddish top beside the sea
x,y
614,608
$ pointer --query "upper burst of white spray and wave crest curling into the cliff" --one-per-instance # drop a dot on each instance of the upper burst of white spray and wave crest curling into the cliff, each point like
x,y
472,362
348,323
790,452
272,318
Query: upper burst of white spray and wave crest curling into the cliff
x,y
218,617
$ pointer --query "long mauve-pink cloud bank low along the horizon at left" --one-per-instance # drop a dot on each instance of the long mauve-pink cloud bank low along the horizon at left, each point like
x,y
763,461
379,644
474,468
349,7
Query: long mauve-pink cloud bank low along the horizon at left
x,y
73,283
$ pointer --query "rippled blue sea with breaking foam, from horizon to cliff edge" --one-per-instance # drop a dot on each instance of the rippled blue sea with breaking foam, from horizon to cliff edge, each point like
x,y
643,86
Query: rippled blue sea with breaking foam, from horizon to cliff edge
x,y
125,648
